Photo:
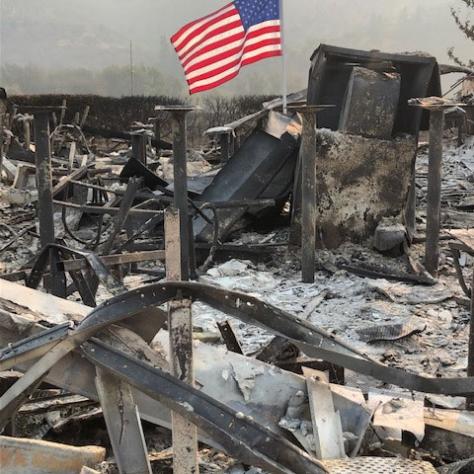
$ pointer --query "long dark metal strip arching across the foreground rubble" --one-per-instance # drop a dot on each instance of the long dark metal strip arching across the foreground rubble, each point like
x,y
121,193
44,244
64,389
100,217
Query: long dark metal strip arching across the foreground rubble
x,y
313,341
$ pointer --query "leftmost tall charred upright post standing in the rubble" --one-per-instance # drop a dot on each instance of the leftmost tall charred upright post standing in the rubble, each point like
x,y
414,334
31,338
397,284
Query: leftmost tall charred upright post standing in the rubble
x,y
56,283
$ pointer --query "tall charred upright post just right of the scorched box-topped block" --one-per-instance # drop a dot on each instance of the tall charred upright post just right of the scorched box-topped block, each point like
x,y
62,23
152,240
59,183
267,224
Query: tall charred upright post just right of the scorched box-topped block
x,y
434,191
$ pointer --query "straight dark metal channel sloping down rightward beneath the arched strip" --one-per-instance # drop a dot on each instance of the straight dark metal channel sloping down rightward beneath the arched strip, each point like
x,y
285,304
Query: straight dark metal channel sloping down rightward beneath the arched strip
x,y
239,435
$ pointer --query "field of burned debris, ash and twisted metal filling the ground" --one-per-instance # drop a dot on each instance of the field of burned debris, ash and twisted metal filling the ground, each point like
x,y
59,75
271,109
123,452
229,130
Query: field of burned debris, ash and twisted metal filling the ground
x,y
290,294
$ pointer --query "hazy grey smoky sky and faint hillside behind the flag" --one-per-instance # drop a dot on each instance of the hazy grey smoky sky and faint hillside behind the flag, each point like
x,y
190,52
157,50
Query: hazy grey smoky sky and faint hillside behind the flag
x,y
92,34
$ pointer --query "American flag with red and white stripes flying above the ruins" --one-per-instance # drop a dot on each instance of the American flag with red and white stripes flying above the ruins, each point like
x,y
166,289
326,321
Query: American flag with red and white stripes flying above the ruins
x,y
214,48
